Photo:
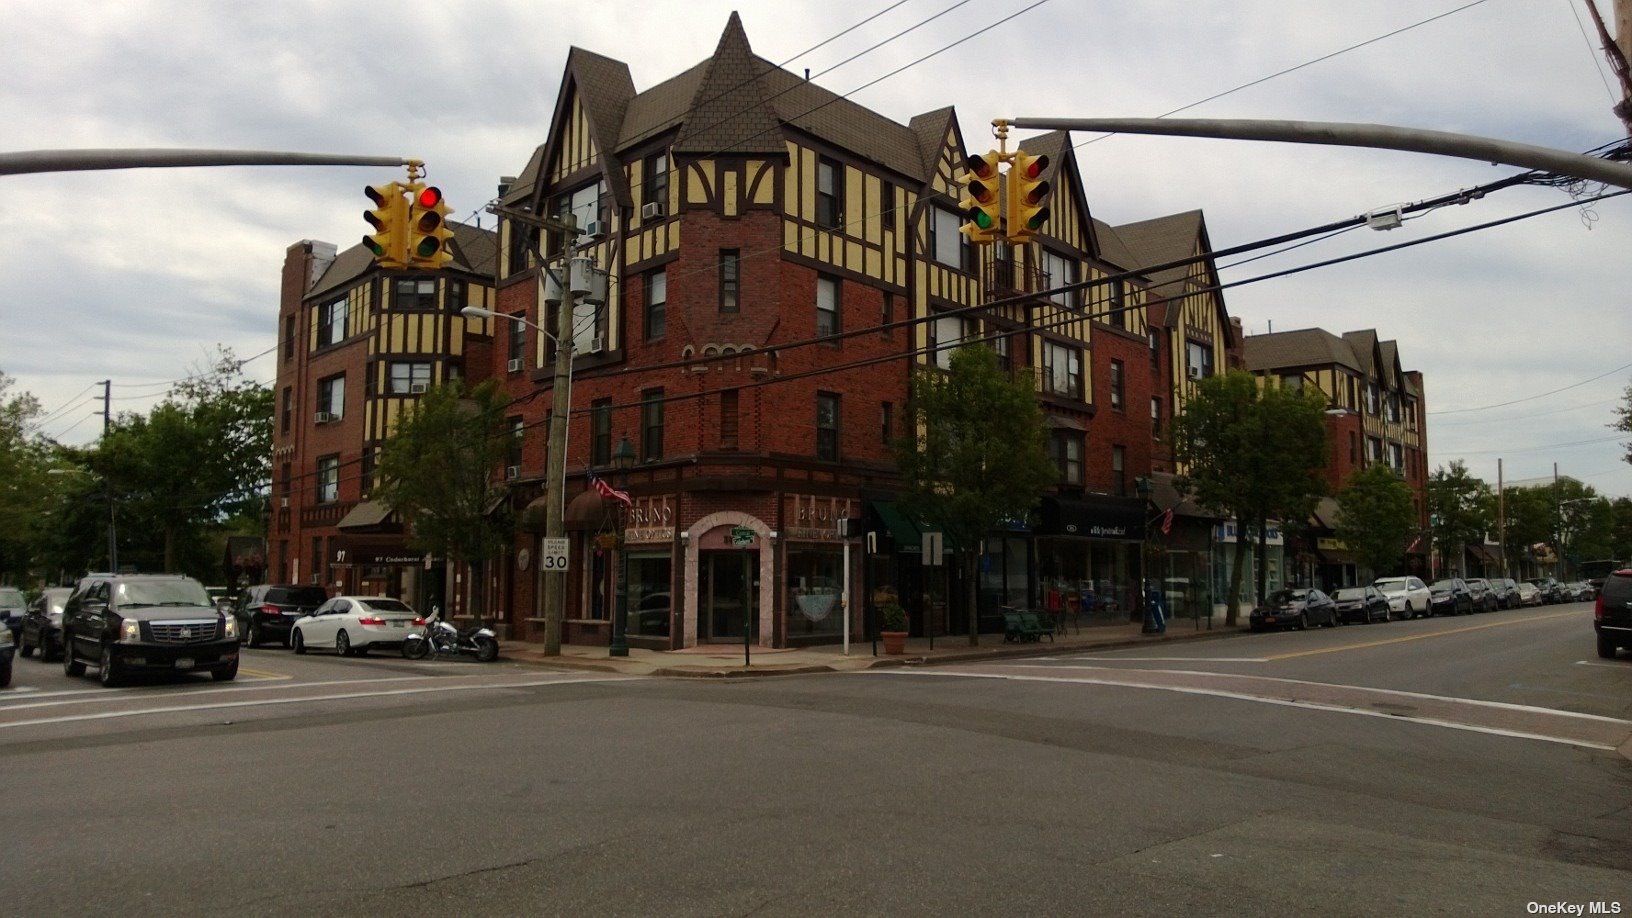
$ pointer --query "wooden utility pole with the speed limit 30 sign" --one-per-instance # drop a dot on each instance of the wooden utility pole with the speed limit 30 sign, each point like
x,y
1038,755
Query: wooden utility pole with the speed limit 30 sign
x,y
561,409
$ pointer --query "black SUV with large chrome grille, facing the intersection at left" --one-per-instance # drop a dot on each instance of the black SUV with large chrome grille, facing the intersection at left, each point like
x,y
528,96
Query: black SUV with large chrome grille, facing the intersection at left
x,y
146,623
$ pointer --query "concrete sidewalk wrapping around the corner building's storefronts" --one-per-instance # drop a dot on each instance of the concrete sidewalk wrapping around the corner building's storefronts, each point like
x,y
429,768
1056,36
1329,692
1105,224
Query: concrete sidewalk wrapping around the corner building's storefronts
x,y
727,661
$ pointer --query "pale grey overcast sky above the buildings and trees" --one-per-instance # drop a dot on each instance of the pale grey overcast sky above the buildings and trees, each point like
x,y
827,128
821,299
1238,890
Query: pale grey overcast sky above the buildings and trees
x,y
1520,332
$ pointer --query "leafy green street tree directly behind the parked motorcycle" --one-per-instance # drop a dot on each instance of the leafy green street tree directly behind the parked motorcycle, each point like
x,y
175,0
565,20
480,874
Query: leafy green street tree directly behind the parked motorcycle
x,y
438,473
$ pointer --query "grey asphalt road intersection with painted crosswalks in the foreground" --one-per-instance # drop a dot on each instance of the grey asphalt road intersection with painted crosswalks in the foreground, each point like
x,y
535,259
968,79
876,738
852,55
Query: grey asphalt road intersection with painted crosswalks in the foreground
x,y
1368,770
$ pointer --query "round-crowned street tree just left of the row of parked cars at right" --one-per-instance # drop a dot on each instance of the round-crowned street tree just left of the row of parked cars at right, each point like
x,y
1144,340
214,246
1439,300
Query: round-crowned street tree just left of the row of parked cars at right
x,y
1251,452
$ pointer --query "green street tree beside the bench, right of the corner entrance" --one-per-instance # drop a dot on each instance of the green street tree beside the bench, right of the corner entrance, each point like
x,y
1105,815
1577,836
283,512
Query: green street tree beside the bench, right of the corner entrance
x,y
975,455
